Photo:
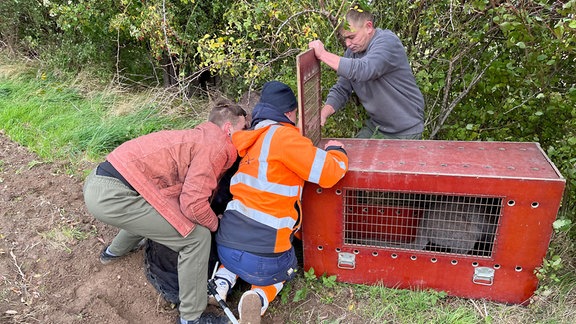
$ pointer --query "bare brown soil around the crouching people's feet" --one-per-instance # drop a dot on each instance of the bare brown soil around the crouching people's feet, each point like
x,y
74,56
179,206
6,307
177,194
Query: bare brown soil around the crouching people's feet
x,y
49,248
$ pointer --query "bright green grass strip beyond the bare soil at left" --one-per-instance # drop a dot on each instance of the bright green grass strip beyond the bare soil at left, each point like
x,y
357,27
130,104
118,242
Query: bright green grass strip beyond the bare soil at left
x,y
60,122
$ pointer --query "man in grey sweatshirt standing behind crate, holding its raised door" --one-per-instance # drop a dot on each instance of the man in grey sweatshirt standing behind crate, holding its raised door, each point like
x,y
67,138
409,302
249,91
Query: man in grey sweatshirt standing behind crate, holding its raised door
x,y
375,66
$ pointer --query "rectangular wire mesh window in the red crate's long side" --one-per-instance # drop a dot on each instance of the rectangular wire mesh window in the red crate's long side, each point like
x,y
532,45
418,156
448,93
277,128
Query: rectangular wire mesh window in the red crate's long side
x,y
420,221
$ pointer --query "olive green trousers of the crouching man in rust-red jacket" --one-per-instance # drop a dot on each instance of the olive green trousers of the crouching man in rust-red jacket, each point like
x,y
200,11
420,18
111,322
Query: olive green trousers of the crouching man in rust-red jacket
x,y
111,202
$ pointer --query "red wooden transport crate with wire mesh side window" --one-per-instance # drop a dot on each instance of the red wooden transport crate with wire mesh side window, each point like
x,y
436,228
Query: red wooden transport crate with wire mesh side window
x,y
473,219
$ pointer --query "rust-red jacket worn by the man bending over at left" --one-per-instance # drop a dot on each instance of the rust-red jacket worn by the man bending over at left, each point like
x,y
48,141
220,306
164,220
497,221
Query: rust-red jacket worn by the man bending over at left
x,y
176,171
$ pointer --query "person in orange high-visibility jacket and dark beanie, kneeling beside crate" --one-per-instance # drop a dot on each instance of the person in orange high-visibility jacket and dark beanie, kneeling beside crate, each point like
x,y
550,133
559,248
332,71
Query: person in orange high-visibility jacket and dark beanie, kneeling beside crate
x,y
254,240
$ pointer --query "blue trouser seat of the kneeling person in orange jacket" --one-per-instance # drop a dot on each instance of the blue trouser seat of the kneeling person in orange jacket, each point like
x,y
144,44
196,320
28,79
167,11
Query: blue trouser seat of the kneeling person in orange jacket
x,y
259,270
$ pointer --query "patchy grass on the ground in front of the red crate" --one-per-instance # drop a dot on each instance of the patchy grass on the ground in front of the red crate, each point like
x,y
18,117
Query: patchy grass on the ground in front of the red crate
x,y
379,304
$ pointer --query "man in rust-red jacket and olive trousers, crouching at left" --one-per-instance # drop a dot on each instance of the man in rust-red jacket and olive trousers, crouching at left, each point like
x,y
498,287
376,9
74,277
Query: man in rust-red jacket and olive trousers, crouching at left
x,y
158,186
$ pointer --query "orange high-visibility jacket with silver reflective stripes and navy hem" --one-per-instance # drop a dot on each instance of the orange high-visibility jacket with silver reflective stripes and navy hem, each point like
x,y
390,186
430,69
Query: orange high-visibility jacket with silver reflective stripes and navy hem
x,y
276,162
